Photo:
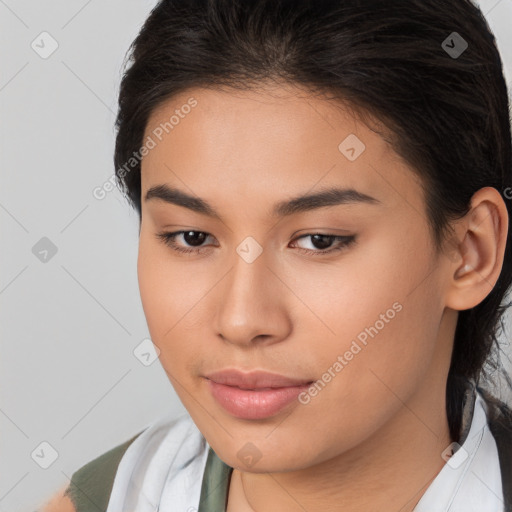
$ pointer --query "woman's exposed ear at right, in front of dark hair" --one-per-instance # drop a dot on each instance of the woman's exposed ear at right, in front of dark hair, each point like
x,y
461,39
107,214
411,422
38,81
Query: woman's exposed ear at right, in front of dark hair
x,y
477,260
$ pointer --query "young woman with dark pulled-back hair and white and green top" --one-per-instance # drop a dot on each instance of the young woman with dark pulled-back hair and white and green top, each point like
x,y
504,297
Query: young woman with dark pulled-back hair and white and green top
x,y
324,191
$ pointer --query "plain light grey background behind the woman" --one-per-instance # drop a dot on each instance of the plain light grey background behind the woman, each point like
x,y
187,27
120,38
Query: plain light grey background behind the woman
x,y
70,324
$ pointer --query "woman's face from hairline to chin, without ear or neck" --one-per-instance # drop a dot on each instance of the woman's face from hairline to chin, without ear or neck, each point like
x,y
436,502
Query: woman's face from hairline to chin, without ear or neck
x,y
344,292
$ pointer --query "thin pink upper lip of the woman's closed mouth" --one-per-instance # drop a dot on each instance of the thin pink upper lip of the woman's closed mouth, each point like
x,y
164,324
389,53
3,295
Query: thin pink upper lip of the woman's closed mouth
x,y
254,380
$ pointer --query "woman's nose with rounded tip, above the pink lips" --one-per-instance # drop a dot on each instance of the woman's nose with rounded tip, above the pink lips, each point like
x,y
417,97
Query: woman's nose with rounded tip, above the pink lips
x,y
253,304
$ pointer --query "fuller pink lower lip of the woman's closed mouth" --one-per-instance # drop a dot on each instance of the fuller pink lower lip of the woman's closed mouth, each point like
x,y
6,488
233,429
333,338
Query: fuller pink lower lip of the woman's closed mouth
x,y
254,405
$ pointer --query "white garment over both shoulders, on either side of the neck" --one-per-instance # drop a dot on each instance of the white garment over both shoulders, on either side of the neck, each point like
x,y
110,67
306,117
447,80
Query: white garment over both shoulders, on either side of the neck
x,y
163,470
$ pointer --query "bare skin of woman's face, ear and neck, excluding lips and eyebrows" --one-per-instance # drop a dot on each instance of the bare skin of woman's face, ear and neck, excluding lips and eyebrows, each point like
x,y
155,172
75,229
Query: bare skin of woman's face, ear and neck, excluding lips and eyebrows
x,y
372,438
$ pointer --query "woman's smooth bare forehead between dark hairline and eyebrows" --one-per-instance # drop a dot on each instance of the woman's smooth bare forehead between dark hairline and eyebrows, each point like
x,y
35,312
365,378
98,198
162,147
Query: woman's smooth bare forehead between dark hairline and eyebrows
x,y
269,142
